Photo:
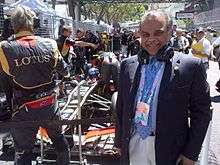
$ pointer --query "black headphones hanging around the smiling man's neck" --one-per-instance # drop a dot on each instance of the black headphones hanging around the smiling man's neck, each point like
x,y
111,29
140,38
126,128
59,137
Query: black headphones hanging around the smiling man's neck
x,y
164,54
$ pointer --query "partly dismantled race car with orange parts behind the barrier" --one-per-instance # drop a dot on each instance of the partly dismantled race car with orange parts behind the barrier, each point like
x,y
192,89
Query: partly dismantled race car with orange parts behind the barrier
x,y
88,142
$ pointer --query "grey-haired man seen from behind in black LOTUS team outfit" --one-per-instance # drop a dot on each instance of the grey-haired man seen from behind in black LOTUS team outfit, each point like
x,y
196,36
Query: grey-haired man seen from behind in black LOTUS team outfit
x,y
30,62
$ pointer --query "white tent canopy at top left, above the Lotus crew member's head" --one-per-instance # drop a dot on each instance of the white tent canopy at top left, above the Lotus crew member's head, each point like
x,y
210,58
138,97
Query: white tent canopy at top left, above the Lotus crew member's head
x,y
36,5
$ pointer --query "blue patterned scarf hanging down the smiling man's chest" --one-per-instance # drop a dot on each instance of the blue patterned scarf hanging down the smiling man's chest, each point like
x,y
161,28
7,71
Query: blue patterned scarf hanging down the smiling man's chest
x,y
149,81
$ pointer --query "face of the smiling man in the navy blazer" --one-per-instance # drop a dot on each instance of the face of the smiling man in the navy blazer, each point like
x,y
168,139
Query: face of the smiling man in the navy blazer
x,y
154,34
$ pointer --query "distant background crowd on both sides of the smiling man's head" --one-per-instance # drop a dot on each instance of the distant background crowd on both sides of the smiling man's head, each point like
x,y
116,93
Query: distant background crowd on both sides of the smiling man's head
x,y
201,42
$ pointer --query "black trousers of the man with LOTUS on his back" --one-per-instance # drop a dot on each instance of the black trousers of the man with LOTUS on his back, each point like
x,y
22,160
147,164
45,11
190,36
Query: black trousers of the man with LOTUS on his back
x,y
24,138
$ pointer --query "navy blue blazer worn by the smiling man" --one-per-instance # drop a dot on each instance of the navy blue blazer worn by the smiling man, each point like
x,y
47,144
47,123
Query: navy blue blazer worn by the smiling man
x,y
183,92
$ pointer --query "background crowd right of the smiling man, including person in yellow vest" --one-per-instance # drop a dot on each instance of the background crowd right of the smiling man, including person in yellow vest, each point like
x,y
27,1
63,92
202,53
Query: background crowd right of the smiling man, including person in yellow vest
x,y
202,43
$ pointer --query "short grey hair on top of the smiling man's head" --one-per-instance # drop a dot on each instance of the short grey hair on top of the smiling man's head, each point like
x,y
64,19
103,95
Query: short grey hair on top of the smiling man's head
x,y
154,13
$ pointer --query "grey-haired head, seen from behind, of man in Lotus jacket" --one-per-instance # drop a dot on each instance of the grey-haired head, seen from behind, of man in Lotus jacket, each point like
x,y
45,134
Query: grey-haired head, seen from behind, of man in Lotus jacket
x,y
22,18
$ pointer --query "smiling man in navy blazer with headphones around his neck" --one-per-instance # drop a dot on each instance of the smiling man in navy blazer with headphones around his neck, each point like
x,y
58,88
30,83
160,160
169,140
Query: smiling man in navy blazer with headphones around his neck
x,y
158,91
